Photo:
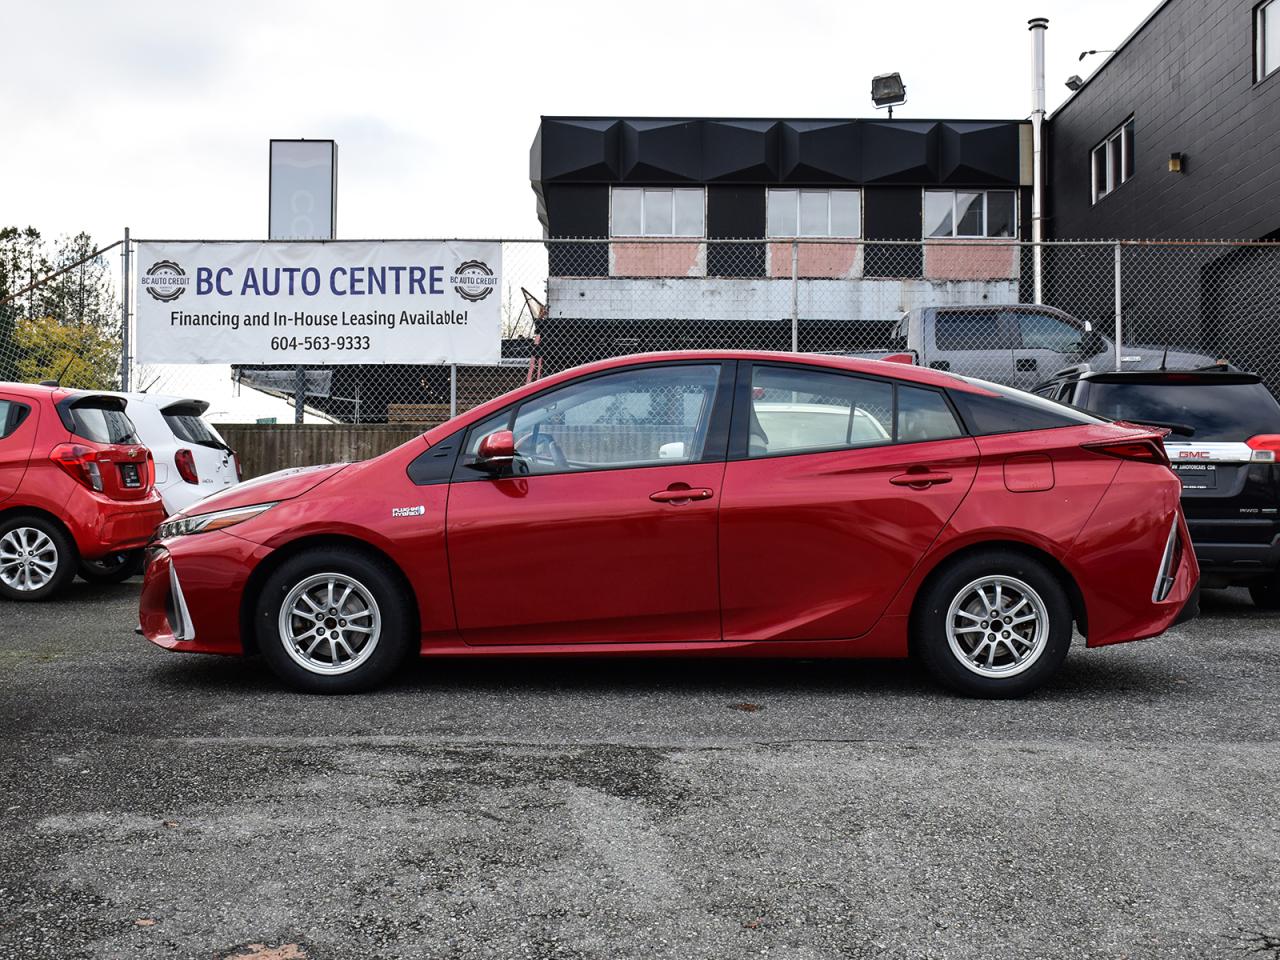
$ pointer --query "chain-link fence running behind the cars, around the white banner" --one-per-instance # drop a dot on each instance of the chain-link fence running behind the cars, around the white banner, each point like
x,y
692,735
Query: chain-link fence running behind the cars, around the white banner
x,y
1007,312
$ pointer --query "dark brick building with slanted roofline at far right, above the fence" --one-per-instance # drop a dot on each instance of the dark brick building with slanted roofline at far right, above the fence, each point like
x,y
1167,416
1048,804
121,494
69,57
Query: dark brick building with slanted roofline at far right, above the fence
x,y
1194,81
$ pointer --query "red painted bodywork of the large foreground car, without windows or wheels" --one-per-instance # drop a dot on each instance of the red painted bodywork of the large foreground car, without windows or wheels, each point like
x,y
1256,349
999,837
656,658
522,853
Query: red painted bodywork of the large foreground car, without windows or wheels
x,y
815,555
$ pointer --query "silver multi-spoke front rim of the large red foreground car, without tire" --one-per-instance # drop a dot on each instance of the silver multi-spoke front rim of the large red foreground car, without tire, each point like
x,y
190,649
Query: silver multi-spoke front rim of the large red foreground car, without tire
x,y
330,624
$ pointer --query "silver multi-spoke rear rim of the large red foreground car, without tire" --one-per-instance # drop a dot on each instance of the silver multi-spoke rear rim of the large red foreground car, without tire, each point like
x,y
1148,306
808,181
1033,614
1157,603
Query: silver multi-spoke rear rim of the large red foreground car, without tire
x,y
998,627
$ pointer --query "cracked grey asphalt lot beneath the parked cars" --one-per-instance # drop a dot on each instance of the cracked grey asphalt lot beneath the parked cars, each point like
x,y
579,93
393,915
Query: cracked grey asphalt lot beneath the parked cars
x,y
161,806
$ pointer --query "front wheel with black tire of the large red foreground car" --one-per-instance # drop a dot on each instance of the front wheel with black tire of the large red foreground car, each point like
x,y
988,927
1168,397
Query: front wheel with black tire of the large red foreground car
x,y
377,588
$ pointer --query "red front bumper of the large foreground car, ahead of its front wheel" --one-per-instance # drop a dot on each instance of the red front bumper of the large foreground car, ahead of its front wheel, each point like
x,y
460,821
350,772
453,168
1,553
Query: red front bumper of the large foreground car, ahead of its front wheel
x,y
193,588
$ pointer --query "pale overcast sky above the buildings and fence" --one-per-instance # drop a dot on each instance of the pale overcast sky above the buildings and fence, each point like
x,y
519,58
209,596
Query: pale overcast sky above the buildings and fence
x,y
157,116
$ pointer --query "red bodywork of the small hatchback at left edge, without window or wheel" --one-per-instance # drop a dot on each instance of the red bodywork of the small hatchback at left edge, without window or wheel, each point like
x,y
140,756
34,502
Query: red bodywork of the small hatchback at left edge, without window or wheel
x,y
102,524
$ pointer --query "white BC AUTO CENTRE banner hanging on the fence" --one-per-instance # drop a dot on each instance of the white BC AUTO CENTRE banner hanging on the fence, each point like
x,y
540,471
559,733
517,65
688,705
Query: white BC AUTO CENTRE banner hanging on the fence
x,y
336,303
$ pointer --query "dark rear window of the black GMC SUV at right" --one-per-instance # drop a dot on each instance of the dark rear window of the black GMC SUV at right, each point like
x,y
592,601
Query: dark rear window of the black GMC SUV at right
x,y
1217,412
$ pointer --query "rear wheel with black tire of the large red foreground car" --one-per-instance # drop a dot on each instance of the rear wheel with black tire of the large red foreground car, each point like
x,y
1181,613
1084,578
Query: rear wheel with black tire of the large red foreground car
x,y
1043,648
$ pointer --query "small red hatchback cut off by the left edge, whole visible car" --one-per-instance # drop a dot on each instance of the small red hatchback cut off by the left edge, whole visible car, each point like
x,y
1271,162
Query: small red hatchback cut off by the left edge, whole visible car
x,y
76,491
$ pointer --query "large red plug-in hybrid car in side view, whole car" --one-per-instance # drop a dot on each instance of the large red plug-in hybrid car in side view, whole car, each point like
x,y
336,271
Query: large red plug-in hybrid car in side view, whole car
x,y
702,504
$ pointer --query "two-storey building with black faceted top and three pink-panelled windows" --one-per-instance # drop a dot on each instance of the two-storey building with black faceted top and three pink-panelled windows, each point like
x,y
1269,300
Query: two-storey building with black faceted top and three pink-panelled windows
x,y
744,205
